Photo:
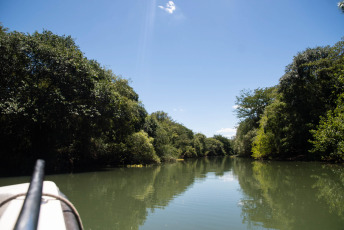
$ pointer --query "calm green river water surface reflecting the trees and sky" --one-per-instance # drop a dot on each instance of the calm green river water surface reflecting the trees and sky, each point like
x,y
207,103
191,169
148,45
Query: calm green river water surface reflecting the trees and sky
x,y
213,193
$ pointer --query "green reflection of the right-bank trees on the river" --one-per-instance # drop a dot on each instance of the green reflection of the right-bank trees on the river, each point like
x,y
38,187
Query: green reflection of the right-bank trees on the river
x,y
287,195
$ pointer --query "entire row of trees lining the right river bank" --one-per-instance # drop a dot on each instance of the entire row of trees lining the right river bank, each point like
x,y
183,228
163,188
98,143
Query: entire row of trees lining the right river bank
x,y
302,117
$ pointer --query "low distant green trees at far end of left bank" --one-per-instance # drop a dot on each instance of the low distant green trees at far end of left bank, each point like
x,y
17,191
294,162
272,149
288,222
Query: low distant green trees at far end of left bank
x,y
173,140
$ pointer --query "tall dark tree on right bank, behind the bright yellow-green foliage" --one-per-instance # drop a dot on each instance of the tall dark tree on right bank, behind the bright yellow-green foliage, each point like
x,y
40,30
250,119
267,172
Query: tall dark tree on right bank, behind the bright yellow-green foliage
x,y
307,94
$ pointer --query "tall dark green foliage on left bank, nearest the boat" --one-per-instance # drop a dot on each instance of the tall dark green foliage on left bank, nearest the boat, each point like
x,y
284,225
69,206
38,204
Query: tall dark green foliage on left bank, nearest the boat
x,y
57,105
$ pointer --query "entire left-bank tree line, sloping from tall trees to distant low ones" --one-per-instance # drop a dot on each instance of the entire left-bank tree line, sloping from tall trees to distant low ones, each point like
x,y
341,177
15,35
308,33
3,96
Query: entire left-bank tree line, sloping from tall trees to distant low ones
x,y
57,105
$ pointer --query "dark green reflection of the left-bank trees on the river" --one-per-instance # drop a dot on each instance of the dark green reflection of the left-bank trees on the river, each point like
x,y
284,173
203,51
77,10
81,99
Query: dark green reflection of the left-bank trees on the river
x,y
121,198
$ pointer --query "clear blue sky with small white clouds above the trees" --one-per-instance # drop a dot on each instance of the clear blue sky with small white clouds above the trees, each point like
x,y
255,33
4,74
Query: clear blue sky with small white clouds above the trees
x,y
188,58
